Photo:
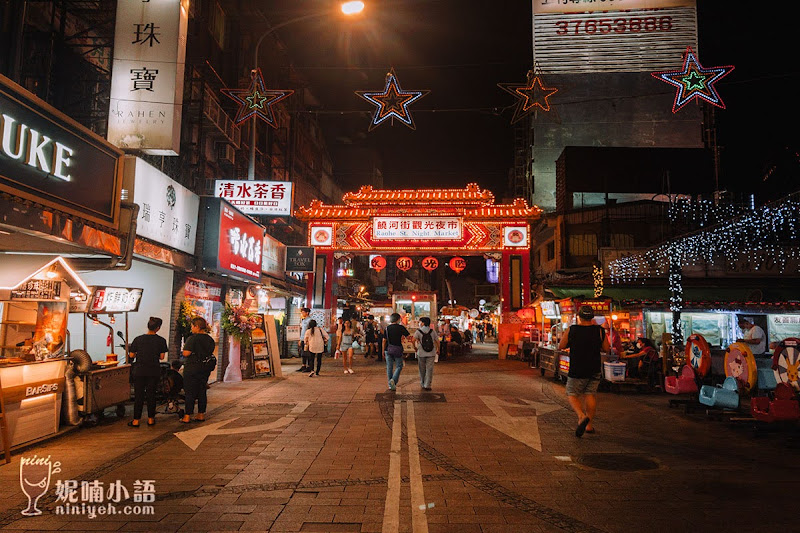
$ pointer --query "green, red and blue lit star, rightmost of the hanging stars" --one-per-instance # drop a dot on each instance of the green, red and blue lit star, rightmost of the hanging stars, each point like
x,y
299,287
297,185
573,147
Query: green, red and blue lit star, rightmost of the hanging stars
x,y
694,81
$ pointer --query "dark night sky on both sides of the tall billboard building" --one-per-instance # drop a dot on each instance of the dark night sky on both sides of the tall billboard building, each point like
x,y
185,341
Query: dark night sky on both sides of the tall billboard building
x,y
461,49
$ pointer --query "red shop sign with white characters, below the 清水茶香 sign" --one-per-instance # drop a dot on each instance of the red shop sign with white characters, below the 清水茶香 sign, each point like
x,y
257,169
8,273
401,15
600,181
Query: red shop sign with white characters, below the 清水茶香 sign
x,y
232,244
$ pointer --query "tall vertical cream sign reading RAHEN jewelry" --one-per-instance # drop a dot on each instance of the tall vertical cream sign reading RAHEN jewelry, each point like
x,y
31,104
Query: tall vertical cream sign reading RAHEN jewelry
x,y
147,75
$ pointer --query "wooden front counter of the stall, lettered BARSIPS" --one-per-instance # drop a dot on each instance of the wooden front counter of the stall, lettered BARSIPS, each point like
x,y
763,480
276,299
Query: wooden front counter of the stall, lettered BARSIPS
x,y
32,395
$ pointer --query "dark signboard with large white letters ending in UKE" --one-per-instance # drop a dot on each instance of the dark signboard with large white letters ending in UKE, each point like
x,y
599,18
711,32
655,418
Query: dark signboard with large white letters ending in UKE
x,y
48,158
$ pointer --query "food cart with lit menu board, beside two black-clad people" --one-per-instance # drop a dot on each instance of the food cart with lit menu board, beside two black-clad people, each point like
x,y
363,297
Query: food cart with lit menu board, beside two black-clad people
x,y
97,385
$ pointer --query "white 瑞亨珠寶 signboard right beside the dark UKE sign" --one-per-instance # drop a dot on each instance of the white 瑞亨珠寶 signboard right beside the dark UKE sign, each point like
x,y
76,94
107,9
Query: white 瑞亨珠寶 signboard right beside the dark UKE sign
x,y
167,210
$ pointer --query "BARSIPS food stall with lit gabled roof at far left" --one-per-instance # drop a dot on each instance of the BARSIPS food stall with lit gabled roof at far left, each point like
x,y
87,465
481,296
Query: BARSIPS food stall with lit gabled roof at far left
x,y
35,292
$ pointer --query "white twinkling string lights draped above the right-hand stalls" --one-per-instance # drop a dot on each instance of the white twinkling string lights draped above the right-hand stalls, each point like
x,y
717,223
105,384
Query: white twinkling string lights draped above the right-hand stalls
x,y
768,232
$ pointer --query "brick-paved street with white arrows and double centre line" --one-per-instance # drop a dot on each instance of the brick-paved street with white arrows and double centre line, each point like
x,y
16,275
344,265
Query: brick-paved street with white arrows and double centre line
x,y
490,449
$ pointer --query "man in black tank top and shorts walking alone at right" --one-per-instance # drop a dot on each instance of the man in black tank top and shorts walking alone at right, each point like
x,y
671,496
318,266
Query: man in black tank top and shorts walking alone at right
x,y
585,341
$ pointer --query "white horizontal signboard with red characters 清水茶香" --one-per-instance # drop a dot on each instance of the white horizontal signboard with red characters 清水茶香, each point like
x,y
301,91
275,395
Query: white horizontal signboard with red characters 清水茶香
x,y
257,197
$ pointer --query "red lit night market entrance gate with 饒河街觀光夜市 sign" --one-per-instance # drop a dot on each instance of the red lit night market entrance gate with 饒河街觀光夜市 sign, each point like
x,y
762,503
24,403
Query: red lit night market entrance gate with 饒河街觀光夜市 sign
x,y
420,223
